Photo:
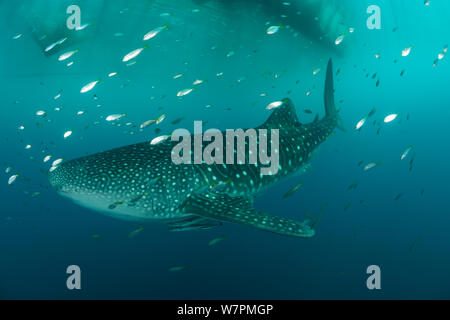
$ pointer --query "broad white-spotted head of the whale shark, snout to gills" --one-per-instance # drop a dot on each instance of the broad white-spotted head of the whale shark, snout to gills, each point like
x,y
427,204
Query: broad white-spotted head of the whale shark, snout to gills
x,y
121,181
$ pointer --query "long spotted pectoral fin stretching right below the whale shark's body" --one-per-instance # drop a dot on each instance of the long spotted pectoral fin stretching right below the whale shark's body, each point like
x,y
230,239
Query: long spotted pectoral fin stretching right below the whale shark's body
x,y
240,210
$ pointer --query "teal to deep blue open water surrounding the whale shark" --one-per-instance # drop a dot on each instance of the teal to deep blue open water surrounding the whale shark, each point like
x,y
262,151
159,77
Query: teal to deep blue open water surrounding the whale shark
x,y
407,238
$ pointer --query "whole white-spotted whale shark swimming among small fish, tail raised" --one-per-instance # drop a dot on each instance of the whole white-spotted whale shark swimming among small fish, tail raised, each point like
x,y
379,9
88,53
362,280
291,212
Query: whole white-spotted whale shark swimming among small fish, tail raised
x,y
141,182
